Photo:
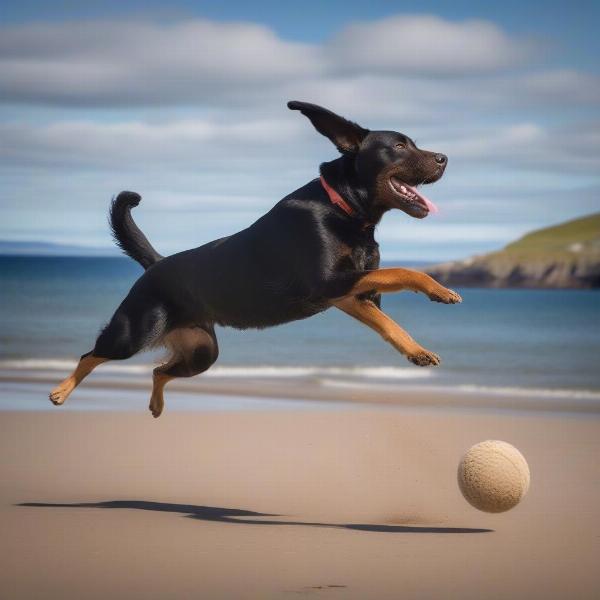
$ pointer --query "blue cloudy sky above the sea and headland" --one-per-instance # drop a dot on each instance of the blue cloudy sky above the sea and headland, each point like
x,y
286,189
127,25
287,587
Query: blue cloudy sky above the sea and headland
x,y
187,106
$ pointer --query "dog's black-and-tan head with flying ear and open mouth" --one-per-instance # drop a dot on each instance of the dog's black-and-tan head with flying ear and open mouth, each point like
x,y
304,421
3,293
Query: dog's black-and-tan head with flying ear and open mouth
x,y
388,164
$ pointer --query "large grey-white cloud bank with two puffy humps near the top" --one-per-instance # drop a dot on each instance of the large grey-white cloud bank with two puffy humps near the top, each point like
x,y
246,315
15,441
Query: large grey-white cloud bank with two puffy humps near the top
x,y
125,63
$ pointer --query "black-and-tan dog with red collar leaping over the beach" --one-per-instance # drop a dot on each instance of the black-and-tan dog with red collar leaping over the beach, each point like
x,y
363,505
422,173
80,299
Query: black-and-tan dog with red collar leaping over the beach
x,y
315,249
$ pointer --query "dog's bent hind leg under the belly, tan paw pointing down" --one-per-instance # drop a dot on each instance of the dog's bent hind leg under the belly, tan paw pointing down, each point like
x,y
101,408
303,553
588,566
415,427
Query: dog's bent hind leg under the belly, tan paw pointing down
x,y
194,350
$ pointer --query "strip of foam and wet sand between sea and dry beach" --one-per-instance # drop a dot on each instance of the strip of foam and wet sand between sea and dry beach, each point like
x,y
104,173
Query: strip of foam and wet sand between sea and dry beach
x,y
398,393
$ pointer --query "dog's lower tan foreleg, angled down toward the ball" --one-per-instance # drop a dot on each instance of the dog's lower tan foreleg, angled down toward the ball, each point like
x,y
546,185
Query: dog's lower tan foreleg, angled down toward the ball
x,y
368,313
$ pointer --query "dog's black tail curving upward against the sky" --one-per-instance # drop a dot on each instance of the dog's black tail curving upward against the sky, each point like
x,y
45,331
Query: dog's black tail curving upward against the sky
x,y
127,234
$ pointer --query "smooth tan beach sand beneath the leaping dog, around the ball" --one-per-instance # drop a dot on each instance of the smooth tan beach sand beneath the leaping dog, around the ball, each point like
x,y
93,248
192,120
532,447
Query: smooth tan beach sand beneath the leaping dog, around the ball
x,y
351,502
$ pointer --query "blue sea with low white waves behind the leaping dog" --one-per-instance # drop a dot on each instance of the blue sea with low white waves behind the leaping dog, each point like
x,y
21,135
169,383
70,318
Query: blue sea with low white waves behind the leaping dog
x,y
543,342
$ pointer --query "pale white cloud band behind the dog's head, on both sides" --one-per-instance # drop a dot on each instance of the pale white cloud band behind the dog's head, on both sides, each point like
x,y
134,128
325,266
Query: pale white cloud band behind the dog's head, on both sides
x,y
283,143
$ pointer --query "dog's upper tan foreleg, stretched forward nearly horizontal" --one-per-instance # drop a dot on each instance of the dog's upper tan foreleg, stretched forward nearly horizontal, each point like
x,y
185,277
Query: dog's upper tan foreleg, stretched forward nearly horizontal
x,y
396,279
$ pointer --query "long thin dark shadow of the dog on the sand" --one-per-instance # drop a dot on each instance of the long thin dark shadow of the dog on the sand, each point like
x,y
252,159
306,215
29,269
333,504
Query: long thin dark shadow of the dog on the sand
x,y
247,517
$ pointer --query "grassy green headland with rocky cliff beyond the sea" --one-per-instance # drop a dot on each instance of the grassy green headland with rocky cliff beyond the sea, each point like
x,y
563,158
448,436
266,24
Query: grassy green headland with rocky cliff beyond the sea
x,y
564,256
